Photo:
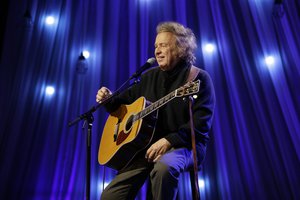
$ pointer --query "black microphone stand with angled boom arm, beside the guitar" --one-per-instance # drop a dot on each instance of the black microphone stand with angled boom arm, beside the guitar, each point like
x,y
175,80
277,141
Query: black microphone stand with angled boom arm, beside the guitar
x,y
89,118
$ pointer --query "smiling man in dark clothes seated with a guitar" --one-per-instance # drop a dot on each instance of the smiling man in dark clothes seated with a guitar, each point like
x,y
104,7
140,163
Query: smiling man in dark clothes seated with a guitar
x,y
170,152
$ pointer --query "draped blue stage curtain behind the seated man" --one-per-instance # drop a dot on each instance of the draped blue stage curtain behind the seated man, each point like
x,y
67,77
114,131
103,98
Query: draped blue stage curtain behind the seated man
x,y
254,151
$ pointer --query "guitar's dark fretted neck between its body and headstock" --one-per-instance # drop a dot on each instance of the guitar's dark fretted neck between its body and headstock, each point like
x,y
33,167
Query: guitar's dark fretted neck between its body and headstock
x,y
156,105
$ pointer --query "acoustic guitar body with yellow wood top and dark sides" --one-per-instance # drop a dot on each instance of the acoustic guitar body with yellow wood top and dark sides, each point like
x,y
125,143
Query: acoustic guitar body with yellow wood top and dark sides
x,y
123,137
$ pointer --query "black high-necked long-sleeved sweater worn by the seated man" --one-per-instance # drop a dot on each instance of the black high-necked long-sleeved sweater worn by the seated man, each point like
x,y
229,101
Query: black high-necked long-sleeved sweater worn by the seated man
x,y
173,118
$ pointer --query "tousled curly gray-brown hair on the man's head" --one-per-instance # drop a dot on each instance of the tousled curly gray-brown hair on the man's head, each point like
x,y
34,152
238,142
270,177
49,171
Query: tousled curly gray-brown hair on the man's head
x,y
185,39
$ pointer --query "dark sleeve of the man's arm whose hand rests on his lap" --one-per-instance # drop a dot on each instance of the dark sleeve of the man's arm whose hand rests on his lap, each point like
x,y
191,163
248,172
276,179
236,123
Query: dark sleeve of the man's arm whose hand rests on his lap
x,y
203,109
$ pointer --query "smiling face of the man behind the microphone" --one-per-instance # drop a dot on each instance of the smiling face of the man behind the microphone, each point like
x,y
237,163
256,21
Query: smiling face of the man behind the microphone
x,y
166,51
